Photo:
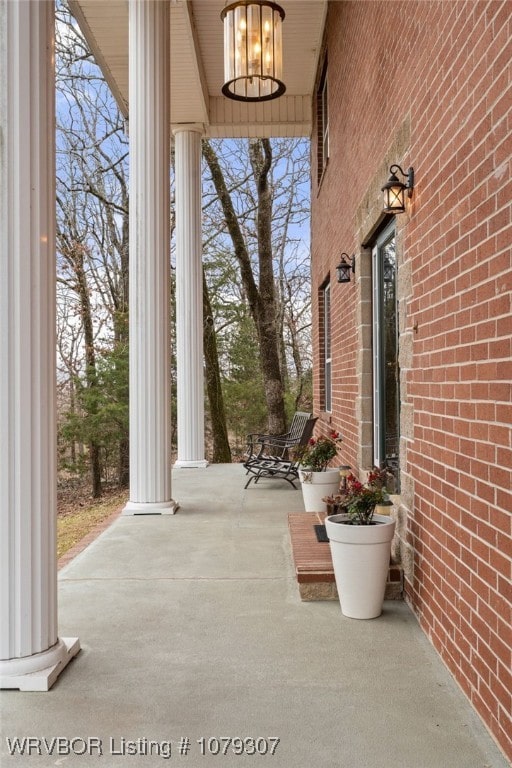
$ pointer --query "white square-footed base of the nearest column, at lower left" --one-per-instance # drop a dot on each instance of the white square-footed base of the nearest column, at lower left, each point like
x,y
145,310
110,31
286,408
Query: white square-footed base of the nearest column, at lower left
x,y
39,671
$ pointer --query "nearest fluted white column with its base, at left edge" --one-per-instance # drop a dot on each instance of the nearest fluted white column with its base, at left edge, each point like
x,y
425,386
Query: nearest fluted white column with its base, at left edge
x,y
31,653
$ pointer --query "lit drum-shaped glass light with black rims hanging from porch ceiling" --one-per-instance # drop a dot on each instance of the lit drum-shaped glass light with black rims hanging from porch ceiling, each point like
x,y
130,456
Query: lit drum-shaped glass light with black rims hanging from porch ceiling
x,y
253,59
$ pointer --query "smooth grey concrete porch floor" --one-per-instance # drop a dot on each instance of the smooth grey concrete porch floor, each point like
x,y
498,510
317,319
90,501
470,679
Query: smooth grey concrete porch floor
x,y
191,627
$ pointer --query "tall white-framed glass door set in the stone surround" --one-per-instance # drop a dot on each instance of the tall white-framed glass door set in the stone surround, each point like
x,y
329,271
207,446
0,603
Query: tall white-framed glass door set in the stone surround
x,y
386,373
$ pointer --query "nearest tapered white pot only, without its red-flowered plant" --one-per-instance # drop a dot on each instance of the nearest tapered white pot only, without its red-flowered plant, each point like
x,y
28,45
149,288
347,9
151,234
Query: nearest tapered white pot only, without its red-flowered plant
x,y
360,556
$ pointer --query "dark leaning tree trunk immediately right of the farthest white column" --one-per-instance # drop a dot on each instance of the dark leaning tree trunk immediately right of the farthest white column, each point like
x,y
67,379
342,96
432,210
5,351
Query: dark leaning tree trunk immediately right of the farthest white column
x,y
221,449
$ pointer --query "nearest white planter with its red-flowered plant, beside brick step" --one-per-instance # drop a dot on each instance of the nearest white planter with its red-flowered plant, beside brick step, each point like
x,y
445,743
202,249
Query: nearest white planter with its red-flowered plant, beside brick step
x,y
360,542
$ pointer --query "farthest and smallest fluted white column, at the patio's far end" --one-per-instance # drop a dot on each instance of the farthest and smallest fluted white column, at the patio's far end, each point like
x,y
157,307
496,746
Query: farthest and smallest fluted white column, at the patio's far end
x,y
189,297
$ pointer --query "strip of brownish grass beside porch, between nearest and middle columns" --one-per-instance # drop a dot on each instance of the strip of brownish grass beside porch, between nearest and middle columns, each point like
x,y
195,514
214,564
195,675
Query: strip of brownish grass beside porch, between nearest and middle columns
x,y
81,518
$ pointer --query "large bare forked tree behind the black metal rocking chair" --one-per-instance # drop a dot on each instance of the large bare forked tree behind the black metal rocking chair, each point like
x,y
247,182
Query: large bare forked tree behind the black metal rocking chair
x,y
258,221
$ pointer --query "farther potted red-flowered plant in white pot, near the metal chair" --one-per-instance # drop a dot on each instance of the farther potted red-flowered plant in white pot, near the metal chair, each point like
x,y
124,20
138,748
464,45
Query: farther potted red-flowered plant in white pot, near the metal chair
x,y
317,479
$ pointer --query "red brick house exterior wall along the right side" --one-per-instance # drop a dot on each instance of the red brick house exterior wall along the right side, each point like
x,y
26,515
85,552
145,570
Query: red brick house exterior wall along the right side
x,y
428,84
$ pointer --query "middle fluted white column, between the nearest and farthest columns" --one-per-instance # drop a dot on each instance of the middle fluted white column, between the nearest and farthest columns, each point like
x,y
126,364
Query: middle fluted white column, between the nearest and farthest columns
x,y
150,448
